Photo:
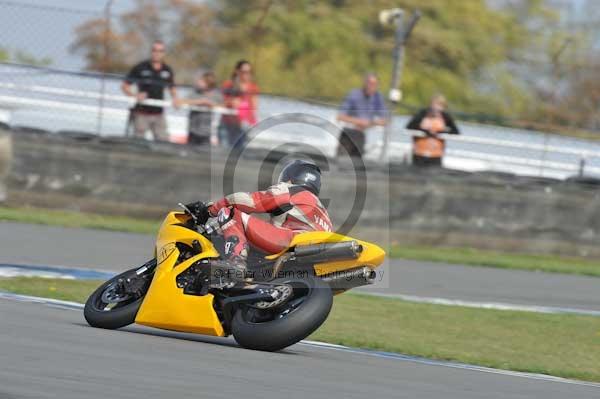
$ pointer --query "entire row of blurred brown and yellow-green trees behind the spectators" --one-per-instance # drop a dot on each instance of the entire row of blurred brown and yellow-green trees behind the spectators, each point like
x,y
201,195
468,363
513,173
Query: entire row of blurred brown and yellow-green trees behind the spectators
x,y
319,49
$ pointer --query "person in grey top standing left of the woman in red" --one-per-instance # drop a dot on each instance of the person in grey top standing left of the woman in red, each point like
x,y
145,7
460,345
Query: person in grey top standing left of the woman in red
x,y
200,122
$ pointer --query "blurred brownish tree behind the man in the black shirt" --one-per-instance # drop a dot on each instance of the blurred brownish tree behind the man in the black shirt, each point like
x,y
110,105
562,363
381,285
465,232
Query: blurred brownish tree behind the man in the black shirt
x,y
184,25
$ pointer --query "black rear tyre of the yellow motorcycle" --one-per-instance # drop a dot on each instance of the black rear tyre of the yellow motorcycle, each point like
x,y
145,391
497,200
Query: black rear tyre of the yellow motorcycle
x,y
288,324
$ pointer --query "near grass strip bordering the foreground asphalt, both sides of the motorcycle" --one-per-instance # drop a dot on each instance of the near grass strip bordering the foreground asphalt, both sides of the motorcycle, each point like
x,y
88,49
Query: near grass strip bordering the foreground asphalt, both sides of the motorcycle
x,y
561,345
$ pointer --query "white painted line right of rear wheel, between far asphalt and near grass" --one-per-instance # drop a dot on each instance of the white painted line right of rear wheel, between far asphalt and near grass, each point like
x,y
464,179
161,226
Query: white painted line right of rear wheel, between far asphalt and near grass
x,y
485,305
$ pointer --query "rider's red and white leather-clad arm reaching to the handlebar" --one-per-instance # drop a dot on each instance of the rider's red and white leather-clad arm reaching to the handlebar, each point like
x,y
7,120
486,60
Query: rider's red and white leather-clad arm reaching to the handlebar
x,y
257,202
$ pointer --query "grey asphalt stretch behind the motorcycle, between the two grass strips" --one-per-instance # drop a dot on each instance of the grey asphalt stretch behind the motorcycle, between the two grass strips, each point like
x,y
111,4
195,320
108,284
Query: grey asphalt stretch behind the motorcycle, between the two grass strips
x,y
103,250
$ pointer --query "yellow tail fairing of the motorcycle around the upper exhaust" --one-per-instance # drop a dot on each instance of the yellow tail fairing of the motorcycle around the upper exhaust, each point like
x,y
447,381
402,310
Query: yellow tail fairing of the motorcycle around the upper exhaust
x,y
371,256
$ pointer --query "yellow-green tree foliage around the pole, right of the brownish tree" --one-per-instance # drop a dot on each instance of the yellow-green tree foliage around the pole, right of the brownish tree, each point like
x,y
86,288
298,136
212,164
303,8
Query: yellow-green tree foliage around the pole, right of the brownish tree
x,y
320,49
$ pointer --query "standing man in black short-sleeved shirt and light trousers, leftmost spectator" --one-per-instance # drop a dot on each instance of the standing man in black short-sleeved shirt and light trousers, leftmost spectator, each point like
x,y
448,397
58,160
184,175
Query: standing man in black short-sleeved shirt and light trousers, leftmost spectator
x,y
151,77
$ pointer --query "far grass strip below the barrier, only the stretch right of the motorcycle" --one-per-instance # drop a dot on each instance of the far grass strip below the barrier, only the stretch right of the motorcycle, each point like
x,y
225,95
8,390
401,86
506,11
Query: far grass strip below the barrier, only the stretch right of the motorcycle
x,y
476,257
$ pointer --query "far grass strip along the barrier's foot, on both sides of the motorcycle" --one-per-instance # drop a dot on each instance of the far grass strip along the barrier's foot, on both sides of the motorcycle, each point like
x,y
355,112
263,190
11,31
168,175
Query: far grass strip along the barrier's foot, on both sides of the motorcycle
x,y
465,256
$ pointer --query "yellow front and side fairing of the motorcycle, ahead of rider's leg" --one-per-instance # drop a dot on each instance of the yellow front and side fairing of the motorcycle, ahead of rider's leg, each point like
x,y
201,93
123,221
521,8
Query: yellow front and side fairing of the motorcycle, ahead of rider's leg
x,y
165,306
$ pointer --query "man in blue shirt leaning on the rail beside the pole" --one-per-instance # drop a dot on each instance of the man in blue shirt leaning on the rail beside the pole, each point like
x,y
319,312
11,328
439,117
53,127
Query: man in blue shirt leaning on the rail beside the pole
x,y
361,110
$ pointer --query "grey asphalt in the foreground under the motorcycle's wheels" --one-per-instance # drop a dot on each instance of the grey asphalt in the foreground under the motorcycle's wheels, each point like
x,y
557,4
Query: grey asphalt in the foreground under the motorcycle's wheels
x,y
50,352
